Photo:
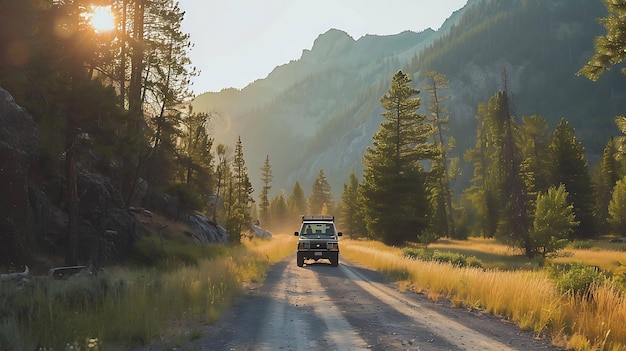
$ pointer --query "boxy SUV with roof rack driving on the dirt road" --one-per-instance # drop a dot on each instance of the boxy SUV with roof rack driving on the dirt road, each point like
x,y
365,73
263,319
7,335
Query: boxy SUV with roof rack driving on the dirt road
x,y
318,239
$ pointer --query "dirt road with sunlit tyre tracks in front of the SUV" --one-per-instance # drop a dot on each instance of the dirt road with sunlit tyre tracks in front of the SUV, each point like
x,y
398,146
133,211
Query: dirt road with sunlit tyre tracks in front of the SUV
x,y
319,307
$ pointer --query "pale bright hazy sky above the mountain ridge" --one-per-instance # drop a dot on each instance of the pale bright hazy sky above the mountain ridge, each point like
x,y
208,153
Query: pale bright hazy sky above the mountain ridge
x,y
240,41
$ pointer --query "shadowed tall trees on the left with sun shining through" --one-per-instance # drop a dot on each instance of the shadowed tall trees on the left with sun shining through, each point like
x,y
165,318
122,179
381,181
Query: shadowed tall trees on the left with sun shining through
x,y
116,103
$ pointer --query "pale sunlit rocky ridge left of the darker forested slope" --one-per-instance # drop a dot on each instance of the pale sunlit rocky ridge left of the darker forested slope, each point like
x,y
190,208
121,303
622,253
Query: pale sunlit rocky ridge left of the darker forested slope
x,y
332,77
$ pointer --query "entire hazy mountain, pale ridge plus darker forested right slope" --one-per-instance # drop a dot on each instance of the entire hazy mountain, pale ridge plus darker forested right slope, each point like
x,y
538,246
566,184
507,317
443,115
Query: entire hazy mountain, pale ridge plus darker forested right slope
x,y
321,111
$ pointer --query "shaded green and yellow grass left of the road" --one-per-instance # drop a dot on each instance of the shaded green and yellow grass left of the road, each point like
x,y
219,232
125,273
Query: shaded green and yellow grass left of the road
x,y
127,307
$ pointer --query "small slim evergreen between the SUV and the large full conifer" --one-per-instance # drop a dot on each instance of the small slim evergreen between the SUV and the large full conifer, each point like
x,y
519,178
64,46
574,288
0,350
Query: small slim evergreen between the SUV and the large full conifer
x,y
351,220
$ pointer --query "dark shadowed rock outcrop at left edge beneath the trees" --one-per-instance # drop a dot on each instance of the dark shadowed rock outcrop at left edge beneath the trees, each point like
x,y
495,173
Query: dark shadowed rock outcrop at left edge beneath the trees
x,y
32,216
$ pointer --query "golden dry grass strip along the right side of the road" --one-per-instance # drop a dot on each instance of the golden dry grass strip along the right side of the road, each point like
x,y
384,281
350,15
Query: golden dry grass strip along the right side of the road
x,y
527,297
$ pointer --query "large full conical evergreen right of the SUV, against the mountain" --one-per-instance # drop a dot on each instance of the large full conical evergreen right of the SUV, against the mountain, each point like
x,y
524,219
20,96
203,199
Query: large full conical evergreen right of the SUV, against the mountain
x,y
396,207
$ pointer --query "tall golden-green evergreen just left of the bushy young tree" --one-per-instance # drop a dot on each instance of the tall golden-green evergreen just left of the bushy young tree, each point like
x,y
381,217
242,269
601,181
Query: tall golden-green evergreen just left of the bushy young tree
x,y
499,192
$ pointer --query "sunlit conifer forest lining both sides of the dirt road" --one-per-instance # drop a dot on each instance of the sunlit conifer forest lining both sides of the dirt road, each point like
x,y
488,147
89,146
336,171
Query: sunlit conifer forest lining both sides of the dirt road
x,y
116,103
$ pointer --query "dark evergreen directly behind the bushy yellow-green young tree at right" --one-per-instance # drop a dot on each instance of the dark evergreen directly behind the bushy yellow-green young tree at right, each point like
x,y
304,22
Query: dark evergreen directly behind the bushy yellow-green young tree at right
x,y
569,167
